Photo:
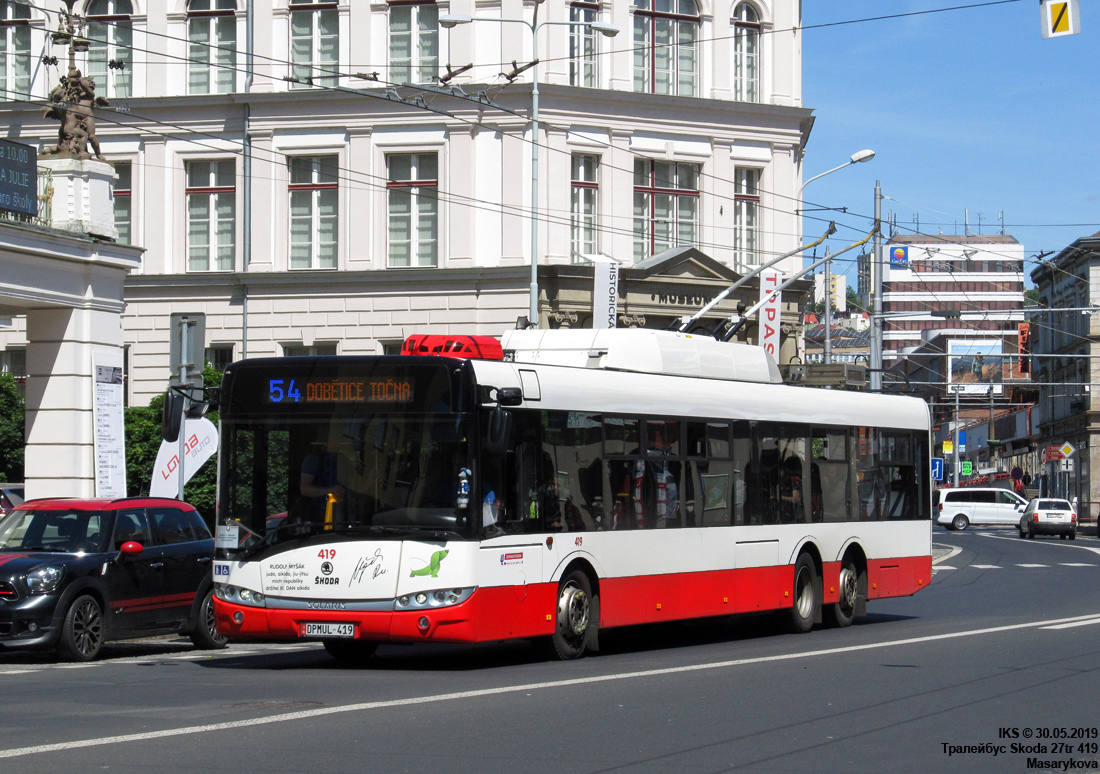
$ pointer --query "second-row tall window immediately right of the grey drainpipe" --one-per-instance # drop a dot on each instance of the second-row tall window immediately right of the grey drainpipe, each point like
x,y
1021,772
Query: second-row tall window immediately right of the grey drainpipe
x,y
315,197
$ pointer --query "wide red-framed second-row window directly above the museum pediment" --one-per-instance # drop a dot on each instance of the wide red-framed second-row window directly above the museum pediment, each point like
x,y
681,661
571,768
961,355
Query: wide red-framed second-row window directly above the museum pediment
x,y
666,206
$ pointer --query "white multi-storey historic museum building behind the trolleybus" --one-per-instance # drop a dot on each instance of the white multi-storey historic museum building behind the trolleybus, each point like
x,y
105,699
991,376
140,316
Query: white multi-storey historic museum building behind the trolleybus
x,y
331,176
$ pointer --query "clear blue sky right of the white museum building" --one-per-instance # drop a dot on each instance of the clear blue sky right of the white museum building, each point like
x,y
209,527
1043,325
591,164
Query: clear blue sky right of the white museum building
x,y
965,109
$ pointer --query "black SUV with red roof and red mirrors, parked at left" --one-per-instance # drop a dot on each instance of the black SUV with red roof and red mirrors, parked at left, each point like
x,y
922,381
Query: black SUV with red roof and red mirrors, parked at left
x,y
75,573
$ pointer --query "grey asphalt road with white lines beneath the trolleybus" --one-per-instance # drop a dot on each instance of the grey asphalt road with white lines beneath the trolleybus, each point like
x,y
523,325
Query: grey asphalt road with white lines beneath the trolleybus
x,y
1003,649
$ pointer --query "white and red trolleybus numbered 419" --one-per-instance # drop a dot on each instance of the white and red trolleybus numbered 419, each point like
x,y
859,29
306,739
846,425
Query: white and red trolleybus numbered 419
x,y
591,479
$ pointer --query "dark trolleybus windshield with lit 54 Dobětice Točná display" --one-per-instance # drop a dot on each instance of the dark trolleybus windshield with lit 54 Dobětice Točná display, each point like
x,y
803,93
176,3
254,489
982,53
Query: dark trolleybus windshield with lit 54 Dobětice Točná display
x,y
316,446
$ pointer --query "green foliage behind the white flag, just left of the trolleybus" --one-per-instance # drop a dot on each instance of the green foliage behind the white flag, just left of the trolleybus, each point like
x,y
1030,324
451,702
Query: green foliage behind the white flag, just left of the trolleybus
x,y
144,443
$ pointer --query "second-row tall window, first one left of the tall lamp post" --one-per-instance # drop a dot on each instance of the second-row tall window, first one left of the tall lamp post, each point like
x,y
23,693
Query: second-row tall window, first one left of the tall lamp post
x,y
414,209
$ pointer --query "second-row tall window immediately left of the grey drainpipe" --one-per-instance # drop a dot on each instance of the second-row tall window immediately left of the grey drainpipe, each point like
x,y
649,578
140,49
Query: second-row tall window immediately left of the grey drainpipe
x,y
212,211
